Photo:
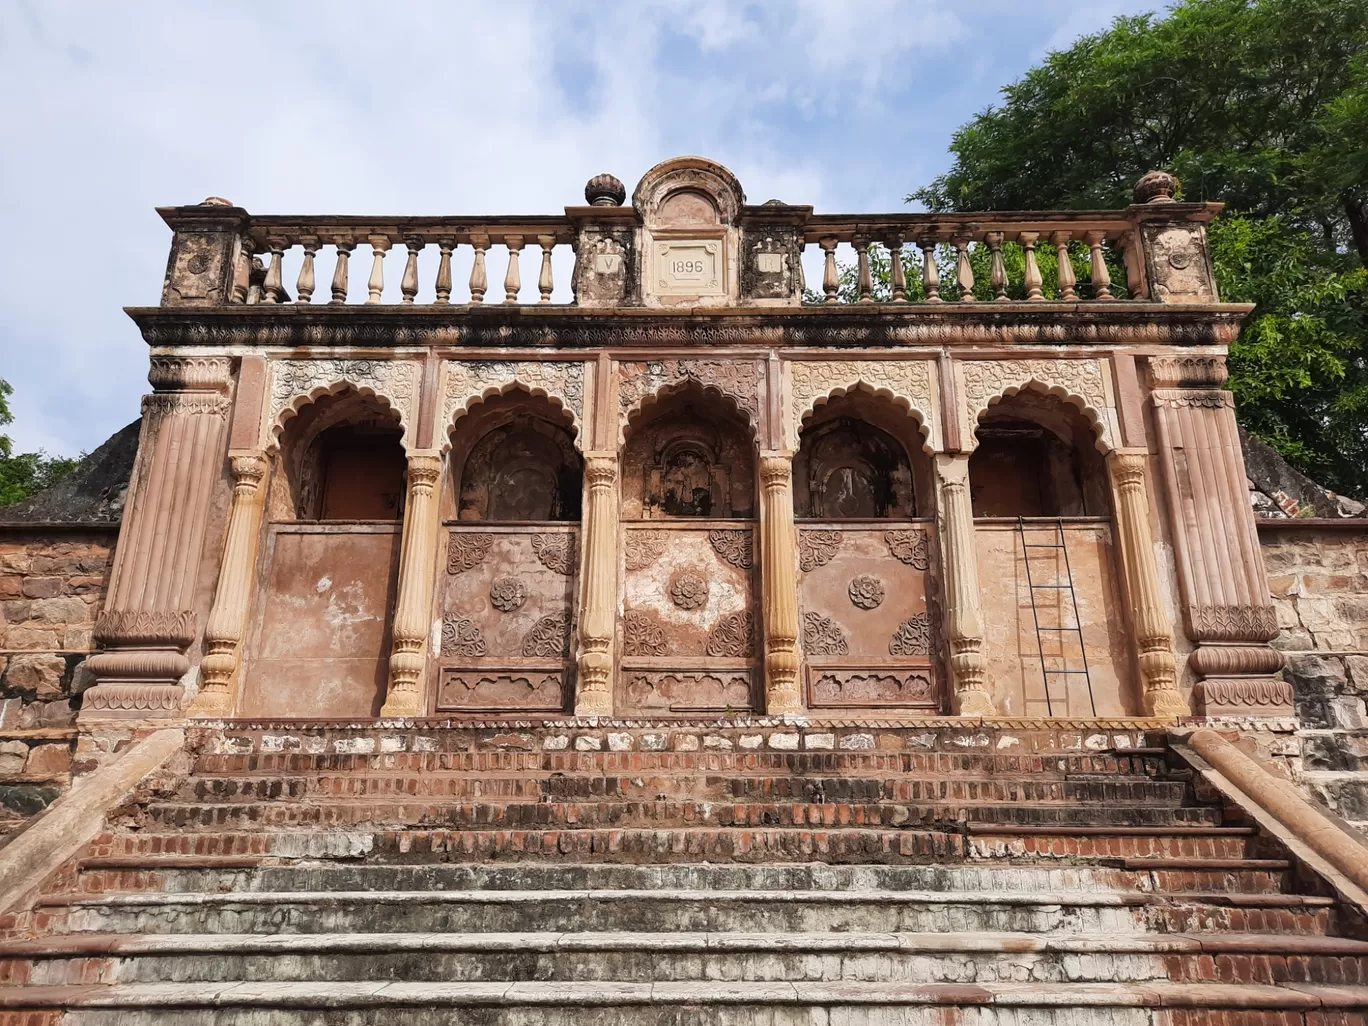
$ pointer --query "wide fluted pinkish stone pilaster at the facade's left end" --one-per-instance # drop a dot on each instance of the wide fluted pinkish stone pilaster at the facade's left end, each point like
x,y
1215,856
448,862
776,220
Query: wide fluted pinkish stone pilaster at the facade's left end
x,y
150,620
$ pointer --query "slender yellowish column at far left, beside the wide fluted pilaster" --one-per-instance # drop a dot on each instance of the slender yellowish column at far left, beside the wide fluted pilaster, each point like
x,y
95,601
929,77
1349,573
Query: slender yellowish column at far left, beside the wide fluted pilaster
x,y
233,598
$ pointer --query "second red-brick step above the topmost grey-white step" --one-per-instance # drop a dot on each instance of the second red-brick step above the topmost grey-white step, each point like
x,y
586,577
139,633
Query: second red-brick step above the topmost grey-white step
x,y
650,815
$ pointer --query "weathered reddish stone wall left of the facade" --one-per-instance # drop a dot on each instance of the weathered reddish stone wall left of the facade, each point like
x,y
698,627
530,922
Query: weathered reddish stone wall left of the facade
x,y
53,583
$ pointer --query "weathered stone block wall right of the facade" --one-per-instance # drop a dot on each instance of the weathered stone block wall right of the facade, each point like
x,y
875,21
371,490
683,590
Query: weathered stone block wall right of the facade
x,y
1319,578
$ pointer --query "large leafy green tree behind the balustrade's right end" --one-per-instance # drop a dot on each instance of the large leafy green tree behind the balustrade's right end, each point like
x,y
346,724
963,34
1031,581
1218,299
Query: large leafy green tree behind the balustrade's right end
x,y
1261,105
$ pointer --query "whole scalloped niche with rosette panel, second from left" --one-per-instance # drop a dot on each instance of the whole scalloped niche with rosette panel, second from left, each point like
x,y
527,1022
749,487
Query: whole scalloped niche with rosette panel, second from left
x,y
510,559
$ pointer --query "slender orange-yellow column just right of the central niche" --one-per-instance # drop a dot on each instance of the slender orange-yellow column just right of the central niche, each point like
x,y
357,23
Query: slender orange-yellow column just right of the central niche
x,y
779,585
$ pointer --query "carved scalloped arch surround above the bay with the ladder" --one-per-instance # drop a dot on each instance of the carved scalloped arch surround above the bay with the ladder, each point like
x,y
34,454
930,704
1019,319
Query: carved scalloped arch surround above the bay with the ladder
x,y
1083,384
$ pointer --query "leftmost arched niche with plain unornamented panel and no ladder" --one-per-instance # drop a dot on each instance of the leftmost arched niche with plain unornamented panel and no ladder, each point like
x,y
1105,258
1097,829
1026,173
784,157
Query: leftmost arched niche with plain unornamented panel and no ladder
x,y
329,566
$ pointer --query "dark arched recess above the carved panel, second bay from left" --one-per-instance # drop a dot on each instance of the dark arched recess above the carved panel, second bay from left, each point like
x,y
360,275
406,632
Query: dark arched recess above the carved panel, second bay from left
x,y
522,471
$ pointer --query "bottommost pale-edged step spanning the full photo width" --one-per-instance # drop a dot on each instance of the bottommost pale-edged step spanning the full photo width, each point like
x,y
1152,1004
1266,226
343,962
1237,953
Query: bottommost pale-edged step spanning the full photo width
x,y
738,1005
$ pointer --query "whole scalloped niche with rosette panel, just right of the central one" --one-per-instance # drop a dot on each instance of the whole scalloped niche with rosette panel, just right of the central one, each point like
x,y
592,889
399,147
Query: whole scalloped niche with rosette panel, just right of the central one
x,y
868,559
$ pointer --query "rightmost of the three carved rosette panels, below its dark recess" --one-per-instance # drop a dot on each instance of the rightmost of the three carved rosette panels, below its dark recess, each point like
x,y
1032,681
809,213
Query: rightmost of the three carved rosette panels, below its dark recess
x,y
868,635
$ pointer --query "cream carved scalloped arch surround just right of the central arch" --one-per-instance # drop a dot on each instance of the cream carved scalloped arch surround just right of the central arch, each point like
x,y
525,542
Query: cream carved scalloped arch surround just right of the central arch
x,y
910,385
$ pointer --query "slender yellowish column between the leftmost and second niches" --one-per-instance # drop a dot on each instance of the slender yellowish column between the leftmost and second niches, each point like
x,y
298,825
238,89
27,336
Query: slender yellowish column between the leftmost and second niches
x,y
414,608
